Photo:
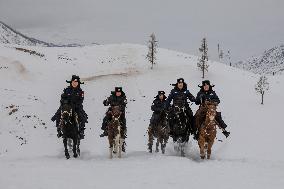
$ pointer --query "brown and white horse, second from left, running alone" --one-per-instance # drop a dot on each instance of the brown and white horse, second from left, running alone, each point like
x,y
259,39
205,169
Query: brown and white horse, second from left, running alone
x,y
115,132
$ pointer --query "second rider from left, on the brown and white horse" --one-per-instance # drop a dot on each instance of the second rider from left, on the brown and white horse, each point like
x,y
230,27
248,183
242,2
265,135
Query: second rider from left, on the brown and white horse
x,y
117,98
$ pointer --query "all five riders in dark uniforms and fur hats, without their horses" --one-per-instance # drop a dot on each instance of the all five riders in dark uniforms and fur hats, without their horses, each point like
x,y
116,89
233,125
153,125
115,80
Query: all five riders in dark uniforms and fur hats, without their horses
x,y
161,106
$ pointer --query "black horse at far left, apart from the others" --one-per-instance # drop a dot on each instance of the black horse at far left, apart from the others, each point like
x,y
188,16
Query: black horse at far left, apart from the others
x,y
69,128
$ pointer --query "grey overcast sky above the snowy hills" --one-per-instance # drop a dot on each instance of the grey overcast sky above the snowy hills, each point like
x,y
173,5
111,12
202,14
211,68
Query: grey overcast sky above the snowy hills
x,y
246,27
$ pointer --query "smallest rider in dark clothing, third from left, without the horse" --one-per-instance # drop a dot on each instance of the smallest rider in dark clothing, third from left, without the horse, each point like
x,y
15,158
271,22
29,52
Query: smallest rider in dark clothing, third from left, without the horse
x,y
157,107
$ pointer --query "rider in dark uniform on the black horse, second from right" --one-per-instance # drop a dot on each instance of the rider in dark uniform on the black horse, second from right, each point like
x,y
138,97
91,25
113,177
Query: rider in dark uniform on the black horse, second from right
x,y
179,95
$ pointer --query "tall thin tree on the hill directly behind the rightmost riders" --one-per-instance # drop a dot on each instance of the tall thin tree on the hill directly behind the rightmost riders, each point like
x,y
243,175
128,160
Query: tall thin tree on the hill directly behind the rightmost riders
x,y
203,60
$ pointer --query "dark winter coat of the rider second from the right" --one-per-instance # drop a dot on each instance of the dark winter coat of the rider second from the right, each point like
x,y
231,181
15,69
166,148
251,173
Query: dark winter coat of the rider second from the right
x,y
179,97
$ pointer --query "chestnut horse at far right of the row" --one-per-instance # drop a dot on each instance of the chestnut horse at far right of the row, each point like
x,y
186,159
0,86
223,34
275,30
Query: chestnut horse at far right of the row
x,y
208,130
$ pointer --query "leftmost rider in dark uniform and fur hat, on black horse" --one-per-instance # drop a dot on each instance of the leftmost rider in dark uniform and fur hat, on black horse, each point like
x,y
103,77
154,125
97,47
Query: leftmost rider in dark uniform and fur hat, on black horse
x,y
75,95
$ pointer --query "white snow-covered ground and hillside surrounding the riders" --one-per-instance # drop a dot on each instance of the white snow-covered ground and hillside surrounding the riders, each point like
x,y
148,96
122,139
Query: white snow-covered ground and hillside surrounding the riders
x,y
31,156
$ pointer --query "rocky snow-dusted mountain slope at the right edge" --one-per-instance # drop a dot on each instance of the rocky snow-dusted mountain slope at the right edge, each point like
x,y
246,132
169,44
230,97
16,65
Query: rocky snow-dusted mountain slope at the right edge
x,y
270,62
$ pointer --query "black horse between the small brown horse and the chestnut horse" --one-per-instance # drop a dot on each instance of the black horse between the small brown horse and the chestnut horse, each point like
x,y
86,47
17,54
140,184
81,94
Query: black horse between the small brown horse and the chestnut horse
x,y
180,128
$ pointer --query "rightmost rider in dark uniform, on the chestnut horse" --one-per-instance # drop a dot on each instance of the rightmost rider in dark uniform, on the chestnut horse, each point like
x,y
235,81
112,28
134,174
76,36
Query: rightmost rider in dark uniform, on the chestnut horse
x,y
206,93
